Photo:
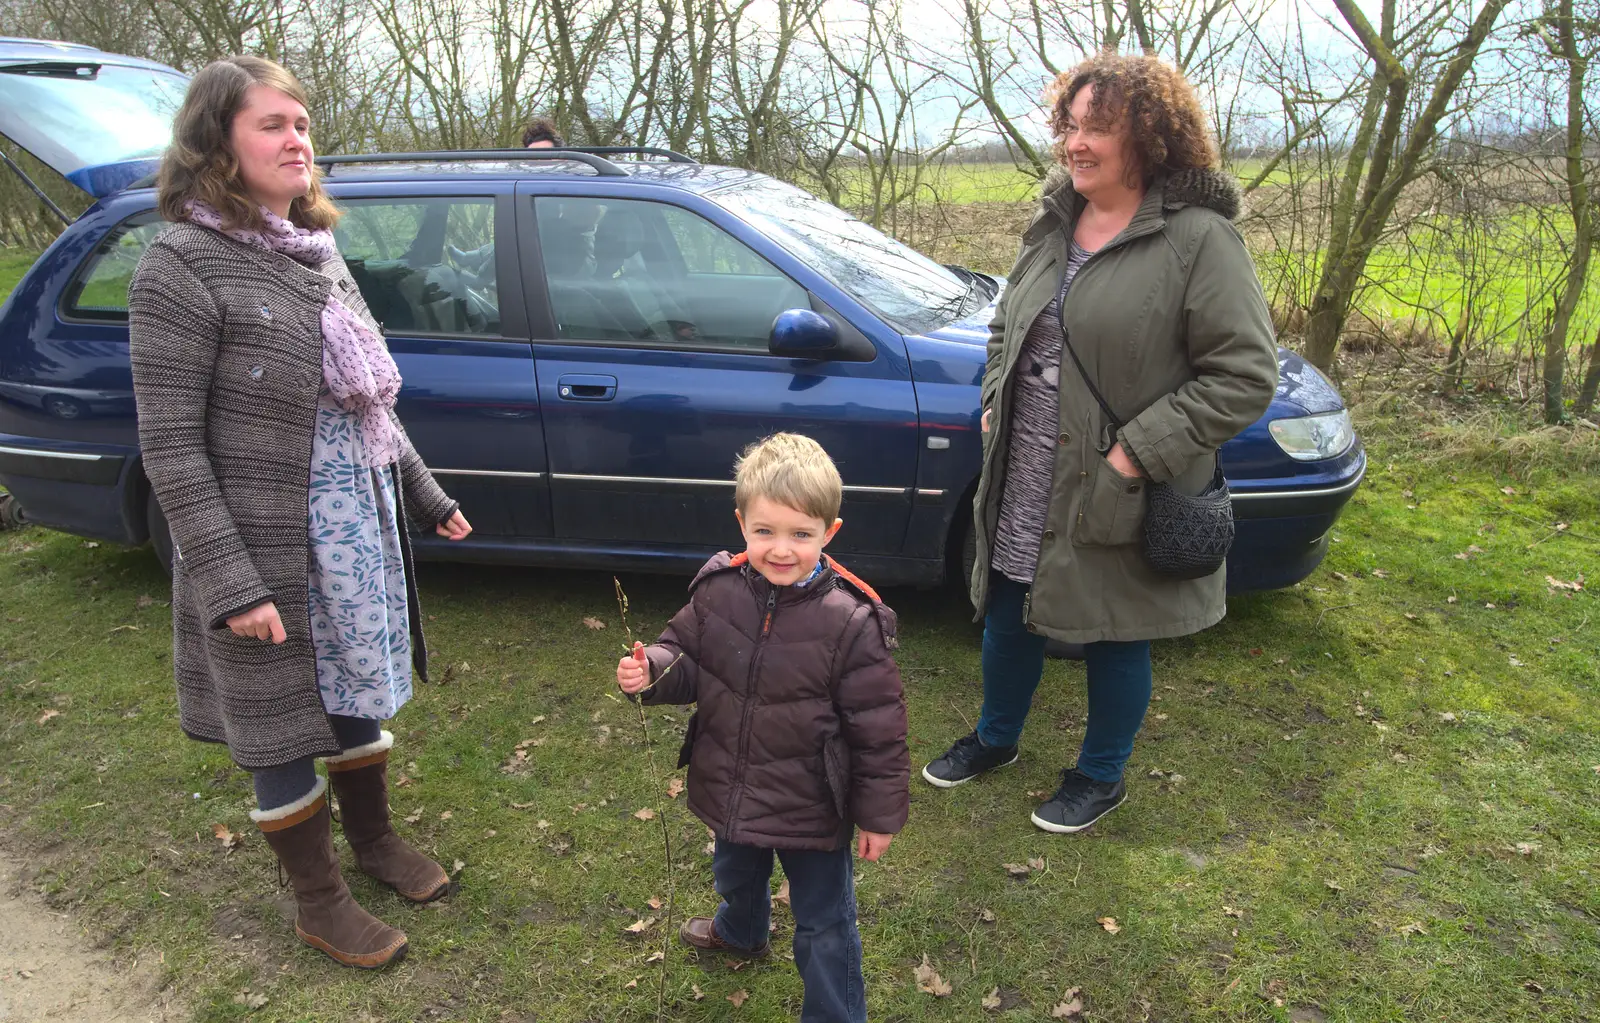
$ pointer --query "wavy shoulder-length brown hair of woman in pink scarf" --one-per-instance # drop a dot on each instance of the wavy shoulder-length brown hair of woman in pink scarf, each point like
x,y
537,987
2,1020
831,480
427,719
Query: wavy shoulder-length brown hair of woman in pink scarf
x,y
201,166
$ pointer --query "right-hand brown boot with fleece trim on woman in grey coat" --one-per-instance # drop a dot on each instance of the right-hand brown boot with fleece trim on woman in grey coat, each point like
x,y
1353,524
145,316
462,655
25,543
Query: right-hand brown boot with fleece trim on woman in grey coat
x,y
361,779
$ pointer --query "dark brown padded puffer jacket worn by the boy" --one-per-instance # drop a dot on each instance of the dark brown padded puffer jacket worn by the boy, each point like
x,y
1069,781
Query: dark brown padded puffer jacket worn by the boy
x,y
801,728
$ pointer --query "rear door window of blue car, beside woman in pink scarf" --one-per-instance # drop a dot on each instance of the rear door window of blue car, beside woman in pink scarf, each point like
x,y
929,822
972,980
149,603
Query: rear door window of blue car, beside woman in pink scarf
x,y
425,265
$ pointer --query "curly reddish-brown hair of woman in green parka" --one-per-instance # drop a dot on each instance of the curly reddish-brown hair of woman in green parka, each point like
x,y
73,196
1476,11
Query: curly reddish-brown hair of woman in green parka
x,y
1167,127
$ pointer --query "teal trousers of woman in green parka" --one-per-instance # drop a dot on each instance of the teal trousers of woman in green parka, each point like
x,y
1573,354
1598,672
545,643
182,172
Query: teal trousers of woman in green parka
x,y
1119,681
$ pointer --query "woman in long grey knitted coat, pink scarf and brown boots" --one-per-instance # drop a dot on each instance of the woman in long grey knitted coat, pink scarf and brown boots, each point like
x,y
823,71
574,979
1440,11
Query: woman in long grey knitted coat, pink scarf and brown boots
x,y
268,433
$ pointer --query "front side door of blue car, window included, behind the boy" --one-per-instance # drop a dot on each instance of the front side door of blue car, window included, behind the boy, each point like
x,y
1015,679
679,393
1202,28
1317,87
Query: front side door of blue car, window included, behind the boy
x,y
655,375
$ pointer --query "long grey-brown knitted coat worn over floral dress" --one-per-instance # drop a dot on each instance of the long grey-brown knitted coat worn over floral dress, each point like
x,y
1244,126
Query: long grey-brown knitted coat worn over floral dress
x,y
226,345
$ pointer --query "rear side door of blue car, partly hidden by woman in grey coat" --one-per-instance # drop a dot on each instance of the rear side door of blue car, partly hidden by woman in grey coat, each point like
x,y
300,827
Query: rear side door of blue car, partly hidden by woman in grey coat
x,y
434,271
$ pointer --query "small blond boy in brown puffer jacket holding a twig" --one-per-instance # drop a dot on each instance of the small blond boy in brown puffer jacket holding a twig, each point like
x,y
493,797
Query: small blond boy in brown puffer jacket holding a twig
x,y
801,731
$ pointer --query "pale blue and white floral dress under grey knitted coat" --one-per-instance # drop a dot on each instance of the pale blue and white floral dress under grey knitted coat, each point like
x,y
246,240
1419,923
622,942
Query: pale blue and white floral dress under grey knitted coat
x,y
359,617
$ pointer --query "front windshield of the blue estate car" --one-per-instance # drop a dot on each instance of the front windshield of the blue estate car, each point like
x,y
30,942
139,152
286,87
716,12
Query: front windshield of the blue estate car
x,y
902,286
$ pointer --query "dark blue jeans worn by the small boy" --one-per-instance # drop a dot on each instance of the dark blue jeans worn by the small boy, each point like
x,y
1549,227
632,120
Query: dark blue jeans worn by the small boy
x,y
823,897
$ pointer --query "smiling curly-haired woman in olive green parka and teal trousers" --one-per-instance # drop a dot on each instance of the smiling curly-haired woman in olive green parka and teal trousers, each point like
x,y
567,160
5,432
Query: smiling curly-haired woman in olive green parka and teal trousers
x,y
1135,263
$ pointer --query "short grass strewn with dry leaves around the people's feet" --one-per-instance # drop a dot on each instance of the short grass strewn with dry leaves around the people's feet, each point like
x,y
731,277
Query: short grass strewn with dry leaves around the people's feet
x,y
1375,796
